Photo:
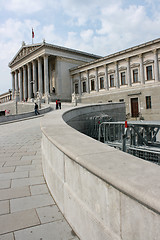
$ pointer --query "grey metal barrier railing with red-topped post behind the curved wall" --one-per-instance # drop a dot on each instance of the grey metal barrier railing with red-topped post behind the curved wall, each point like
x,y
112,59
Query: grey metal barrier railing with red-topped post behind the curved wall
x,y
137,138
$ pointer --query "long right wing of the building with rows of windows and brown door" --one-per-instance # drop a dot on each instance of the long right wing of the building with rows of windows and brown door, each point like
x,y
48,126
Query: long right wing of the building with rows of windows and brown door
x,y
131,76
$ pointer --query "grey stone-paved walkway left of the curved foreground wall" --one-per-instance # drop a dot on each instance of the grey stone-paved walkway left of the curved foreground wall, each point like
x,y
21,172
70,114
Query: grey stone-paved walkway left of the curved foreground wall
x,y
27,210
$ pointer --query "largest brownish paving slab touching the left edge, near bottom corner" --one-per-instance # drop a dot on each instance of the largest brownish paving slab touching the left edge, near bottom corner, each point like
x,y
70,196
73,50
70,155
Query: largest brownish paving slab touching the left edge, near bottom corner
x,y
18,220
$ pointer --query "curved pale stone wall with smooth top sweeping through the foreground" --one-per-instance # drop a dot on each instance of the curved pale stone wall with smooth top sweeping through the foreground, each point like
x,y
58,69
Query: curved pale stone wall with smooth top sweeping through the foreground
x,y
104,194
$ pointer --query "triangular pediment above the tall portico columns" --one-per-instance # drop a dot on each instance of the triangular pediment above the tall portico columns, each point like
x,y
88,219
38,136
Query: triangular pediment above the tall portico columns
x,y
24,51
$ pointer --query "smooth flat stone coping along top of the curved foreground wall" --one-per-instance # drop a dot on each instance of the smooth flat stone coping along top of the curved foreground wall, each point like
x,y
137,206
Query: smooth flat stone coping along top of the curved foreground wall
x,y
132,176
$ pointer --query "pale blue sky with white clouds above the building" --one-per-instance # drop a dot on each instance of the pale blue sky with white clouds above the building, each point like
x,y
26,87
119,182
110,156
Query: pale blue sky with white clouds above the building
x,y
96,26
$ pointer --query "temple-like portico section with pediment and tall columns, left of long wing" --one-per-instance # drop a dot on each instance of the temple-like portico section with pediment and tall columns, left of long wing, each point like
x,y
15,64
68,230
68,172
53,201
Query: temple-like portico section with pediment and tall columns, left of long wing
x,y
43,69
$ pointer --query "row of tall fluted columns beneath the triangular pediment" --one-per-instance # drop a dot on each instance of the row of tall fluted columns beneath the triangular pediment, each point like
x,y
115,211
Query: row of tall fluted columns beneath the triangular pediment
x,y
31,78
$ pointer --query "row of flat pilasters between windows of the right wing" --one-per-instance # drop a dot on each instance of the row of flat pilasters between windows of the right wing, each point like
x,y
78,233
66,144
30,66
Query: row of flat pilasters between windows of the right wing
x,y
141,74
